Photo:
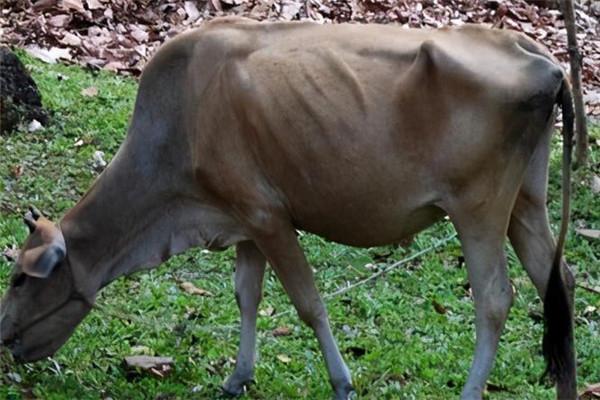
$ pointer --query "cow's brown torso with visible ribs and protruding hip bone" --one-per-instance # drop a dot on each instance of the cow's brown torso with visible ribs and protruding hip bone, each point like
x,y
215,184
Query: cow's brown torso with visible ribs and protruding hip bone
x,y
333,122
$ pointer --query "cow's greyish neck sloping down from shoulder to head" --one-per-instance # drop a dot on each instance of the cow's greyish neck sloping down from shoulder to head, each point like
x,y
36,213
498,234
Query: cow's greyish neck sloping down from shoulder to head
x,y
135,216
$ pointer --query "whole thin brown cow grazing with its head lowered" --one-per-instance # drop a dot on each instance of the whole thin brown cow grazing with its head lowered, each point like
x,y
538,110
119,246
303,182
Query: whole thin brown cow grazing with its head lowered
x,y
245,132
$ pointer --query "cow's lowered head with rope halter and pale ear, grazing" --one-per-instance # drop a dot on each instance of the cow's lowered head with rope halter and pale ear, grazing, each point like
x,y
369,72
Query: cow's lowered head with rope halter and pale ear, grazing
x,y
42,306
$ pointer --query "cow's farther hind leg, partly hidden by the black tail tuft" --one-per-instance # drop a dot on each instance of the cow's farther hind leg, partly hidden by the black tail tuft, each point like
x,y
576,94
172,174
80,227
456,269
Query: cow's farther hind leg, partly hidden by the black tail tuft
x,y
531,237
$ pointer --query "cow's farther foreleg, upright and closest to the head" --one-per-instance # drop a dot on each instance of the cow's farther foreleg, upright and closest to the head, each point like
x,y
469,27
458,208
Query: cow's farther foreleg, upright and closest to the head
x,y
249,273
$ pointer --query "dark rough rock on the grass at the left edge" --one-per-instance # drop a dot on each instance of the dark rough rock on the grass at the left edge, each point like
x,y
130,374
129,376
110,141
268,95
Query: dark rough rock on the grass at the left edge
x,y
20,99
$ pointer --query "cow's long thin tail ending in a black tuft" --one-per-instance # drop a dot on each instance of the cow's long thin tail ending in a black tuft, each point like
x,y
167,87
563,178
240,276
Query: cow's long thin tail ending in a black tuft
x,y
558,346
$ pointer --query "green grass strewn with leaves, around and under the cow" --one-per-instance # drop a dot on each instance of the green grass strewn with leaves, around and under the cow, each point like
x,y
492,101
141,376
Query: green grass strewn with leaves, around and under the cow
x,y
395,342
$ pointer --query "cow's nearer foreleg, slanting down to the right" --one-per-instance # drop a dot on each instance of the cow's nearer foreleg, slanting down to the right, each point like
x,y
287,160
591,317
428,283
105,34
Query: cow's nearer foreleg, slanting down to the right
x,y
287,260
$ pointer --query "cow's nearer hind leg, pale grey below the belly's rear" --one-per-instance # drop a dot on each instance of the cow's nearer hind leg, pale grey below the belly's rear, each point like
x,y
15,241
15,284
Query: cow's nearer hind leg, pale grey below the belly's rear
x,y
483,247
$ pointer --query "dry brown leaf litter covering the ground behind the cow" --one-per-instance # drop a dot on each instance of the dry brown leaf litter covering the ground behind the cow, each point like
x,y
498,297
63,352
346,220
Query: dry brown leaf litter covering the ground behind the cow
x,y
121,35
